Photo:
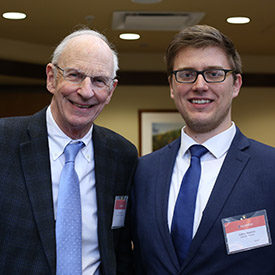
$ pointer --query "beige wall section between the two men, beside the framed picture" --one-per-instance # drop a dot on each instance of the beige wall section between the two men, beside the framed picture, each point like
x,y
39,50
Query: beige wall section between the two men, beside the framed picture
x,y
121,114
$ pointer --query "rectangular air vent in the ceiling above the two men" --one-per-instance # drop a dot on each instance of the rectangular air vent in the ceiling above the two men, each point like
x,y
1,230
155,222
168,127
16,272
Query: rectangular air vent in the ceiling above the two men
x,y
155,21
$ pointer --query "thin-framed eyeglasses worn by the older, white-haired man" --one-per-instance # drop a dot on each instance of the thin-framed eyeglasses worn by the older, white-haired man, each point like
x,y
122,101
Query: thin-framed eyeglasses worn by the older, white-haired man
x,y
76,76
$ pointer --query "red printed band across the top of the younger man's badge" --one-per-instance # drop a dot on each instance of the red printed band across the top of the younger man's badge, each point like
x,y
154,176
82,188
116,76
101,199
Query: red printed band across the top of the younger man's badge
x,y
244,224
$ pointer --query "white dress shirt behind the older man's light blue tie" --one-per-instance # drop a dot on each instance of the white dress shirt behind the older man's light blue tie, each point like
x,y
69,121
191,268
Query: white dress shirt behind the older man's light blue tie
x,y
84,166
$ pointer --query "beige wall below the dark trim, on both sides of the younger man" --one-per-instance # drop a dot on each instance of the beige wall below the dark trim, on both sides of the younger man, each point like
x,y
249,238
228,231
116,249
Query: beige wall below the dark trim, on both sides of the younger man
x,y
253,110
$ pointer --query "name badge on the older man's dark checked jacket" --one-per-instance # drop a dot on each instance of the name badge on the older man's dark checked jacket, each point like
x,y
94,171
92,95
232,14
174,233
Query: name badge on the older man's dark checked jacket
x,y
119,211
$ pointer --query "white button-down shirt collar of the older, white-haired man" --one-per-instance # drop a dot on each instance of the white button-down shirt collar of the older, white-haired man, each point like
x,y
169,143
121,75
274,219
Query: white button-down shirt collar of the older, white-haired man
x,y
58,140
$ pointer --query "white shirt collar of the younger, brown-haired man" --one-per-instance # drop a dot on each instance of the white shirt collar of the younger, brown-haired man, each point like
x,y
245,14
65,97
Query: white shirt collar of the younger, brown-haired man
x,y
217,145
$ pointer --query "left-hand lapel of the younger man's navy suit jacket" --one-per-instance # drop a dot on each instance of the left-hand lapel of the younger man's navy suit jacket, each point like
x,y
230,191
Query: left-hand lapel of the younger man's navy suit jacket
x,y
164,172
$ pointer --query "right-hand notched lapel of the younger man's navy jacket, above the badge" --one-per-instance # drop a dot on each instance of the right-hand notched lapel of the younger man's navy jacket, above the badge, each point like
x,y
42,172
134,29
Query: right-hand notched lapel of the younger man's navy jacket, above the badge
x,y
232,167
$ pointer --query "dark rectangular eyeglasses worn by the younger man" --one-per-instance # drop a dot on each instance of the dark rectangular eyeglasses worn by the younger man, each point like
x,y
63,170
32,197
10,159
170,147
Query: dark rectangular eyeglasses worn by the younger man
x,y
210,75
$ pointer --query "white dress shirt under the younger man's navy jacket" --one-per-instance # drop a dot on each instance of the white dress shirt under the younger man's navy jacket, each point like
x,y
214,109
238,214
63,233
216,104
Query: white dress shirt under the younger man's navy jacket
x,y
211,164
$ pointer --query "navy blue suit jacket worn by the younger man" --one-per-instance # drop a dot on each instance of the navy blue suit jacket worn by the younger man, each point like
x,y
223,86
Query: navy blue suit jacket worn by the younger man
x,y
246,183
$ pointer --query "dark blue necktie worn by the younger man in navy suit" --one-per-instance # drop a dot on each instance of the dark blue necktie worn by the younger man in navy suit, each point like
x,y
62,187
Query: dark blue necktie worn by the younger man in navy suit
x,y
183,219
